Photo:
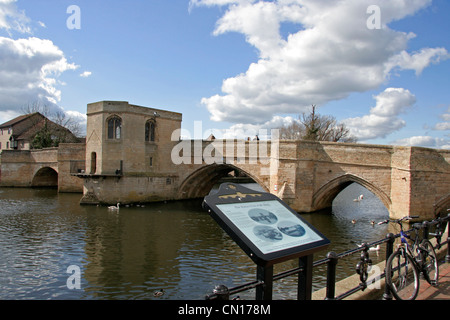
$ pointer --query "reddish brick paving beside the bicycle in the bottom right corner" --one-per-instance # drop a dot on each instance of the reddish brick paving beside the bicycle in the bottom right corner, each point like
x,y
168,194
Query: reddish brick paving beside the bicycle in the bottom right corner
x,y
441,291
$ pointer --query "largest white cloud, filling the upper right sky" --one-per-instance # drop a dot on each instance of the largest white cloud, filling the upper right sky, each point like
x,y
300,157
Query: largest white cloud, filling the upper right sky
x,y
332,55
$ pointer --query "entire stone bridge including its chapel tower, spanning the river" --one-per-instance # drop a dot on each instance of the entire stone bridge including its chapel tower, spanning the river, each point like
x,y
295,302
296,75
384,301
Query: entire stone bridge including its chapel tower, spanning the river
x,y
134,154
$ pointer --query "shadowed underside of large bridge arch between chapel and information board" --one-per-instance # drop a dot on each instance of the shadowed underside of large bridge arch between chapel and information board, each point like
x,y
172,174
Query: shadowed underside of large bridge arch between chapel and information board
x,y
199,183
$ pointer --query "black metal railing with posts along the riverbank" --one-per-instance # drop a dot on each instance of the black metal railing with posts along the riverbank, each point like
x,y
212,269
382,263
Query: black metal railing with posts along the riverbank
x,y
362,268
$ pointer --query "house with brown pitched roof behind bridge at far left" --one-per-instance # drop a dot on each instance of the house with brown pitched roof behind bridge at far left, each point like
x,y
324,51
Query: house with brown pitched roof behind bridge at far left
x,y
18,133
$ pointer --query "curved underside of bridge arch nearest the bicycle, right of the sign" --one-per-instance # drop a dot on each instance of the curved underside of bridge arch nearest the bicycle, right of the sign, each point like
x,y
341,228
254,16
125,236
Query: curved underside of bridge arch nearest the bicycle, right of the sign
x,y
324,197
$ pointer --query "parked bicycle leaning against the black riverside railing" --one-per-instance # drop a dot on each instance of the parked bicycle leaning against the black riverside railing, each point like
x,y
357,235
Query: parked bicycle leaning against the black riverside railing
x,y
404,265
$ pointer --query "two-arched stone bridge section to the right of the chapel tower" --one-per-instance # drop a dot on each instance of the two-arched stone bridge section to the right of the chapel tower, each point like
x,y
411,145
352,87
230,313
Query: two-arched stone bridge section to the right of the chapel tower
x,y
309,175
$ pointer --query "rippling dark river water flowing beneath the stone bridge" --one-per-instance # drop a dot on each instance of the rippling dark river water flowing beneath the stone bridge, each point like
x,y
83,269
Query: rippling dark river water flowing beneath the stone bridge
x,y
130,254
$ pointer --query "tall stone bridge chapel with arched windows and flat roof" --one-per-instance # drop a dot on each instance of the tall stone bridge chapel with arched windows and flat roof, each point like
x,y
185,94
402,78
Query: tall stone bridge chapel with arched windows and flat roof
x,y
128,150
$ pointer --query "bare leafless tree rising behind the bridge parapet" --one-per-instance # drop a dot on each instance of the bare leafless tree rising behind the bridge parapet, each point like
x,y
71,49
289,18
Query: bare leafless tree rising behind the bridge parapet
x,y
313,126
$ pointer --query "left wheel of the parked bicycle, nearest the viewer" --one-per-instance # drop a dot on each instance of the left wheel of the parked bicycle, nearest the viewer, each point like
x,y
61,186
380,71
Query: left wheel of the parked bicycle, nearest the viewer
x,y
402,276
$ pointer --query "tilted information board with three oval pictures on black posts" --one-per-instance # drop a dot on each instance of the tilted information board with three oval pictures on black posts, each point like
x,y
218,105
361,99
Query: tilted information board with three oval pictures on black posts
x,y
268,231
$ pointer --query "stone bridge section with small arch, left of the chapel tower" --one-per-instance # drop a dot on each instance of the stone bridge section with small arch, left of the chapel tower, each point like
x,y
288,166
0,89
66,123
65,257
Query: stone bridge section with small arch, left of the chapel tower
x,y
50,168
